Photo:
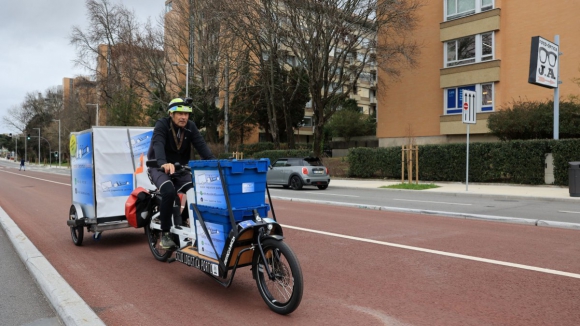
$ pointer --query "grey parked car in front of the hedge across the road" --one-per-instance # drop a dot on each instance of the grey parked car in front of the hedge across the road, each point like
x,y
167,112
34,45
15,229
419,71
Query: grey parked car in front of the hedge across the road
x,y
296,172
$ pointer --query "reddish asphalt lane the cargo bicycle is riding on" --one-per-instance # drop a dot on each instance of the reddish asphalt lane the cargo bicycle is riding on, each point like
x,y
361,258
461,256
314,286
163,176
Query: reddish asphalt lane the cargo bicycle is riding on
x,y
360,267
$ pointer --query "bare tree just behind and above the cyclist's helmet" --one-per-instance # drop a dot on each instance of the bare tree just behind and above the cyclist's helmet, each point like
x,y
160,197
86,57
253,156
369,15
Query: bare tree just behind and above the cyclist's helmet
x,y
196,36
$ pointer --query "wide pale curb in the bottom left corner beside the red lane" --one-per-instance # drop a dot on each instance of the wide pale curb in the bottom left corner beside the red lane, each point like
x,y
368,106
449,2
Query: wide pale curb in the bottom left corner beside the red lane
x,y
69,306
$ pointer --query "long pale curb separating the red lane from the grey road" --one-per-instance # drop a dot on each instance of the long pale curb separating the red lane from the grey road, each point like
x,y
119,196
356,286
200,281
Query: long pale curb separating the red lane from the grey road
x,y
504,219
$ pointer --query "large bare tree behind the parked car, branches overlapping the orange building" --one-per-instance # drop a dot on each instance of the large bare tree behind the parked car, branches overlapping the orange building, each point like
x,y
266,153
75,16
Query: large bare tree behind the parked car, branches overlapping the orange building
x,y
335,41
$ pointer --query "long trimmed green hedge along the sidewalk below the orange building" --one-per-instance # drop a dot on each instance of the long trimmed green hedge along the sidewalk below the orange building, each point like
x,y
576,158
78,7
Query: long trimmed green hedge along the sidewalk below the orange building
x,y
520,162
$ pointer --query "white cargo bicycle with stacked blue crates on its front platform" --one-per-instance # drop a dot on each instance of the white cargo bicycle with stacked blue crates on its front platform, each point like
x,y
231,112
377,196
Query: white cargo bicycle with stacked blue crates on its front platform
x,y
218,241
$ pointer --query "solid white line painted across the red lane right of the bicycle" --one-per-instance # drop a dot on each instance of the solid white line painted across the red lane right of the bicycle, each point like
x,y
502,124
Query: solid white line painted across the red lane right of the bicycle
x,y
441,253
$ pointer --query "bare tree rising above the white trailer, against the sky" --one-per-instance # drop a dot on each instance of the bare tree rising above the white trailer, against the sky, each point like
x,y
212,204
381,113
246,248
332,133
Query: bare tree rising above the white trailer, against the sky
x,y
124,59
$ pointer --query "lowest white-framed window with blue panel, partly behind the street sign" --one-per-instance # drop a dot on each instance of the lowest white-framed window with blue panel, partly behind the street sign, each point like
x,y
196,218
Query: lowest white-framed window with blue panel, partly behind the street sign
x,y
454,98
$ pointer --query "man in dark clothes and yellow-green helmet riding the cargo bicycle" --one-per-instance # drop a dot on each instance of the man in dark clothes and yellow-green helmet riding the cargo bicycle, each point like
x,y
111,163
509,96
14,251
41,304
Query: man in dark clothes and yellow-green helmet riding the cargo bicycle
x,y
171,143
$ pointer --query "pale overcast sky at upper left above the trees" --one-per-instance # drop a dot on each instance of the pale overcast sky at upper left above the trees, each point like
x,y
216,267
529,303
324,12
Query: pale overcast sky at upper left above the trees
x,y
35,53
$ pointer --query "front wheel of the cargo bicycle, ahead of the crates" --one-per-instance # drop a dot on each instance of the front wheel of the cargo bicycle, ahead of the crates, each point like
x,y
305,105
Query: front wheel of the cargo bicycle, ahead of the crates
x,y
283,292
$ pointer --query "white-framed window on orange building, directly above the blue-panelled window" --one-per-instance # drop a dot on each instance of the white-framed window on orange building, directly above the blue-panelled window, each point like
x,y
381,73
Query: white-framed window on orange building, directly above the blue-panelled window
x,y
469,49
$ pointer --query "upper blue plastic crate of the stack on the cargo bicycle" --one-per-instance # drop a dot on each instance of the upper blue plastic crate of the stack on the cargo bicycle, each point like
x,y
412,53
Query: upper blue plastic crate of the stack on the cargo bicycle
x,y
245,181
